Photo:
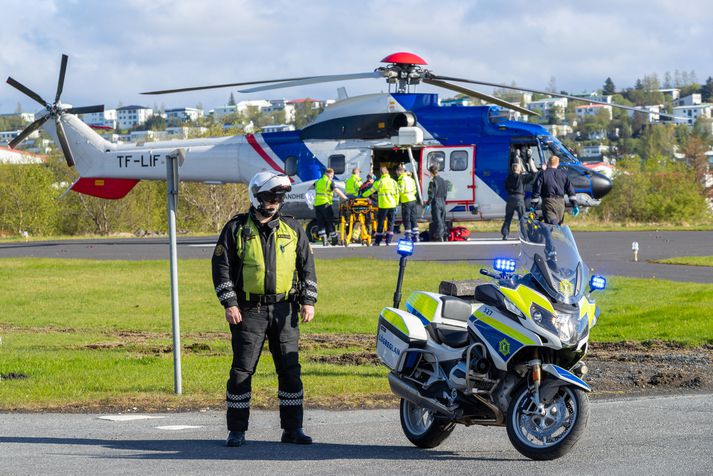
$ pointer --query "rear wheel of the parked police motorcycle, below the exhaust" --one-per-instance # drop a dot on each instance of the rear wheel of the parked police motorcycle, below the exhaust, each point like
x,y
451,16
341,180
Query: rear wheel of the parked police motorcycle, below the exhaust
x,y
422,427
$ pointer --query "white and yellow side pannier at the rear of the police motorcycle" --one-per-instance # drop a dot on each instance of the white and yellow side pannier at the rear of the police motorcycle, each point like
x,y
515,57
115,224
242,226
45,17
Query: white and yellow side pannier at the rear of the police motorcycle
x,y
398,331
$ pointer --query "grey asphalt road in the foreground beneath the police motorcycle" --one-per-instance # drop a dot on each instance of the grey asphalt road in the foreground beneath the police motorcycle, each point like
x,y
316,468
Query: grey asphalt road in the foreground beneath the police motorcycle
x,y
659,435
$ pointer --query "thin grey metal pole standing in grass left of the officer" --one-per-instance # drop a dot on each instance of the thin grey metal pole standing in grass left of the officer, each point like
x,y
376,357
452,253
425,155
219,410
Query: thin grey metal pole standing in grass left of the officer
x,y
172,194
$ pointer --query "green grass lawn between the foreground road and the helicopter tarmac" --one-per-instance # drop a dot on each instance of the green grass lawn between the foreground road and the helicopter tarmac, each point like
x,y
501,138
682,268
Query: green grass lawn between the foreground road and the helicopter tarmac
x,y
80,334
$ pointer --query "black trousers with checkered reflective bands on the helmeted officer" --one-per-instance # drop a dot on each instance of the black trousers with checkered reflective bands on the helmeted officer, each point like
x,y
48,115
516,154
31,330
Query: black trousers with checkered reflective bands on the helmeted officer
x,y
279,324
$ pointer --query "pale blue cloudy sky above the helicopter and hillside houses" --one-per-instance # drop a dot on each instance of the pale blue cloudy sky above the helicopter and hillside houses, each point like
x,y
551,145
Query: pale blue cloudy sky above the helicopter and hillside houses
x,y
120,48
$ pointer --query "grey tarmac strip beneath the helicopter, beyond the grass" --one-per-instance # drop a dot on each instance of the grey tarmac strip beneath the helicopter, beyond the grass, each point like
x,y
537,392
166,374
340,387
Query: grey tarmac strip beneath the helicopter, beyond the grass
x,y
609,253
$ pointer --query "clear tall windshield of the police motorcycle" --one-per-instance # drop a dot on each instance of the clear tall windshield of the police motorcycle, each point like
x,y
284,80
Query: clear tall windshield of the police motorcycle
x,y
550,254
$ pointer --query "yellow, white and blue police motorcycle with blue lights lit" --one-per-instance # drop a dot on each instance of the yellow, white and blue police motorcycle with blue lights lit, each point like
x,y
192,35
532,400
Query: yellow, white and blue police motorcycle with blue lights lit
x,y
509,356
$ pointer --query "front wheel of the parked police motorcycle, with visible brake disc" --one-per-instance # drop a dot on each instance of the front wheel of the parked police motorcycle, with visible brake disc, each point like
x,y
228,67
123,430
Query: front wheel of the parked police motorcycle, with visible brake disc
x,y
552,435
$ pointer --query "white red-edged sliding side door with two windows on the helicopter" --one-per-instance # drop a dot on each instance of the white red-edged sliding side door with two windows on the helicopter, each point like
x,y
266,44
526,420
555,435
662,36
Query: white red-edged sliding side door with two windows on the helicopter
x,y
457,166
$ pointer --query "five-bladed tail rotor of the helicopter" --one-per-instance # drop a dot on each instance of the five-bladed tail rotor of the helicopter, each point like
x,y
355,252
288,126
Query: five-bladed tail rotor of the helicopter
x,y
54,110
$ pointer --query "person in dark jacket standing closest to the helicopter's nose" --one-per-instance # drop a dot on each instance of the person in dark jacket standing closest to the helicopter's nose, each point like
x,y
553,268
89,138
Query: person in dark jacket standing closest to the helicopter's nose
x,y
551,185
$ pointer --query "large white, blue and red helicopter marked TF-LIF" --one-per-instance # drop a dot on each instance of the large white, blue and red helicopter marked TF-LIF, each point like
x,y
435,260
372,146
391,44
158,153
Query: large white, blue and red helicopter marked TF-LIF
x,y
472,146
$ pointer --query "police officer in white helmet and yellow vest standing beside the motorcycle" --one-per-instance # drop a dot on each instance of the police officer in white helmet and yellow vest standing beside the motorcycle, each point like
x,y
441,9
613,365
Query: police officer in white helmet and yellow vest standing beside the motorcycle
x,y
263,271
